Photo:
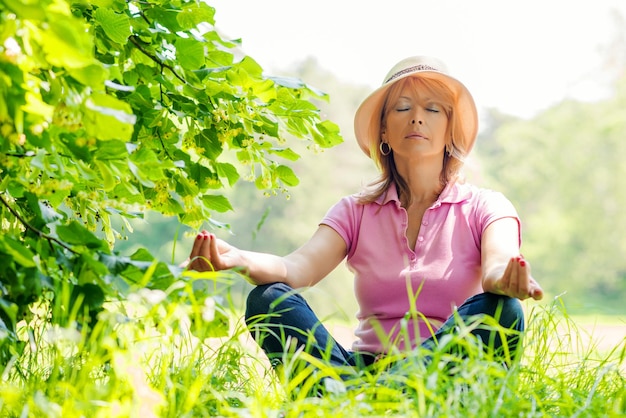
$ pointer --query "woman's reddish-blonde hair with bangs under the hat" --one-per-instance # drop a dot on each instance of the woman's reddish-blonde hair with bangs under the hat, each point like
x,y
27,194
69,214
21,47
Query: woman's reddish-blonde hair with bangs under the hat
x,y
456,147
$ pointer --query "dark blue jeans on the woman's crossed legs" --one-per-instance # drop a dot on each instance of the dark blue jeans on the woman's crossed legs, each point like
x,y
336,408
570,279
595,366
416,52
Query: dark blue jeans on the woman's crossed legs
x,y
280,319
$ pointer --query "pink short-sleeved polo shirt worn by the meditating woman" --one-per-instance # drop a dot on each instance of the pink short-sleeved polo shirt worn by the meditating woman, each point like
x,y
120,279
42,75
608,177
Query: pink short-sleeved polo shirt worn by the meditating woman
x,y
391,280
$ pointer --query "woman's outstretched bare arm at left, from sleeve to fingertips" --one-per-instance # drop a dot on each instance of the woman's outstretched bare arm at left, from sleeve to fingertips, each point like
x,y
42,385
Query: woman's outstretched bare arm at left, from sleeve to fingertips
x,y
305,266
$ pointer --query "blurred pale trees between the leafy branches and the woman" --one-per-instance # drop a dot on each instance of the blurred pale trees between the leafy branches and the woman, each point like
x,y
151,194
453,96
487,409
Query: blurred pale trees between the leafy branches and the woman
x,y
280,223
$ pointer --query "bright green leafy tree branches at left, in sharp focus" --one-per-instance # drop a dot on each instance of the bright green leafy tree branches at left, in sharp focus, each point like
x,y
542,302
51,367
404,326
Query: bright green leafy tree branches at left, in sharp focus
x,y
109,108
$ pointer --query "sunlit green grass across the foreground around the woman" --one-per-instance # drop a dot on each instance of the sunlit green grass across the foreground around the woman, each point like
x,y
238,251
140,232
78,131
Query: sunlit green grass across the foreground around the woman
x,y
158,356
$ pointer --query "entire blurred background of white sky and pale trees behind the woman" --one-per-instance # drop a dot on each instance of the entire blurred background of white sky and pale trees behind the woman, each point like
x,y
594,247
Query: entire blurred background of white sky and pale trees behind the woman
x,y
549,78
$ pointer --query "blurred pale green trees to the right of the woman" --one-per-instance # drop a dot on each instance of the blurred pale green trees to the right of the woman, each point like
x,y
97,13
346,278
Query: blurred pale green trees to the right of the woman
x,y
565,173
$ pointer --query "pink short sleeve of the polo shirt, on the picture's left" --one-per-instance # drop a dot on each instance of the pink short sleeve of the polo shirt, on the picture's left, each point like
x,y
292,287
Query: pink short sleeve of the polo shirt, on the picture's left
x,y
345,218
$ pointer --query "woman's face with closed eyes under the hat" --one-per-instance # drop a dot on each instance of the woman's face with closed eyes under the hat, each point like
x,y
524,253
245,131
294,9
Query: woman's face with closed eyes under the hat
x,y
416,124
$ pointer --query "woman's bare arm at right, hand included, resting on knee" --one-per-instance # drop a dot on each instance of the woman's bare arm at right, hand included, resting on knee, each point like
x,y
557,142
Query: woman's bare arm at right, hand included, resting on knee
x,y
505,271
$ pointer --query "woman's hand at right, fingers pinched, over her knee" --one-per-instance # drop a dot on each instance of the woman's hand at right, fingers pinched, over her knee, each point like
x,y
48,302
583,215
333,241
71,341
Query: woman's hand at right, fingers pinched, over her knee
x,y
517,282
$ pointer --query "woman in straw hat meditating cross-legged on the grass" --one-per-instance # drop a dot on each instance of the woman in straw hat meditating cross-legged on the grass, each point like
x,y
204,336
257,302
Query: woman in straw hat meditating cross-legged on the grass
x,y
420,241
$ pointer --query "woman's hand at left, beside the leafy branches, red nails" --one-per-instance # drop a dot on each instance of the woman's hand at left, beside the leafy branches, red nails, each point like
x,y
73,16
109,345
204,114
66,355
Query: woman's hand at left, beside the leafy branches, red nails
x,y
212,254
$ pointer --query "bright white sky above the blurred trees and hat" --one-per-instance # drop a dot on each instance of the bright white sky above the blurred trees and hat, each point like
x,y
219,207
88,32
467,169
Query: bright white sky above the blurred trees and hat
x,y
517,56
